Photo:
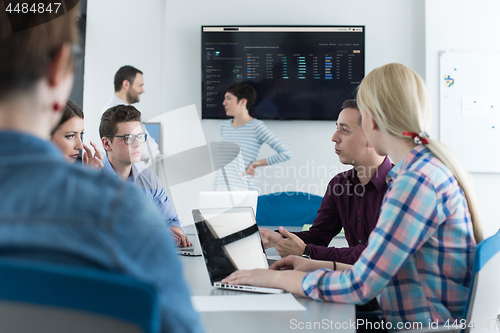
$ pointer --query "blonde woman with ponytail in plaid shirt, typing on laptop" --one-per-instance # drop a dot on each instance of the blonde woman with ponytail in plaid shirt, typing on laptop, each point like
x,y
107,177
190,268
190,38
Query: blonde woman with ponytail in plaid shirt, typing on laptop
x,y
419,257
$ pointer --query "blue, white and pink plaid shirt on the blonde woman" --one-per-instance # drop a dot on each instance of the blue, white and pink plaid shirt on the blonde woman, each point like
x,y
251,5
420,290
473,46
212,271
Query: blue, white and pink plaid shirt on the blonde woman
x,y
419,256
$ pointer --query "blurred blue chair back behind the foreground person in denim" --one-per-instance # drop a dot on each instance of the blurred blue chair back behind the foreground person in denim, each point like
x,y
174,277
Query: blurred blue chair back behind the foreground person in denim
x,y
44,297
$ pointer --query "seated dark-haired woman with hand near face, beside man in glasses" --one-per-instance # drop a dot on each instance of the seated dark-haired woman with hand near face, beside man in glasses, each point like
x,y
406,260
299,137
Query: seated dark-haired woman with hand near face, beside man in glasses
x,y
68,136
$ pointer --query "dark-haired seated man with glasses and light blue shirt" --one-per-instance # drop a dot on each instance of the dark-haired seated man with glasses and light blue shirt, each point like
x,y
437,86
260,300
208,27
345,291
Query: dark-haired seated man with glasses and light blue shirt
x,y
122,138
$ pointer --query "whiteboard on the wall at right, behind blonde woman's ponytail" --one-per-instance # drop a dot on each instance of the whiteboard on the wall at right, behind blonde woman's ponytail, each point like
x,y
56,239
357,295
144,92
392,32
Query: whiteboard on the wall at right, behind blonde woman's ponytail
x,y
470,106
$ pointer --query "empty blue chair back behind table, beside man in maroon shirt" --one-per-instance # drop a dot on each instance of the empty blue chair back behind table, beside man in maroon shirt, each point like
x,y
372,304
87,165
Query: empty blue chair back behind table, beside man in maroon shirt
x,y
288,209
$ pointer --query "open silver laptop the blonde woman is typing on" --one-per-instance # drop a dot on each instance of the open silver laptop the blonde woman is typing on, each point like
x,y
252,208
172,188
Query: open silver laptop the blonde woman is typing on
x,y
230,240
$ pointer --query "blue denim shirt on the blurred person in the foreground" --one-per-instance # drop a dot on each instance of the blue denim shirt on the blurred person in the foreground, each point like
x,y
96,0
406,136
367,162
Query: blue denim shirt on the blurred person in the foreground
x,y
56,212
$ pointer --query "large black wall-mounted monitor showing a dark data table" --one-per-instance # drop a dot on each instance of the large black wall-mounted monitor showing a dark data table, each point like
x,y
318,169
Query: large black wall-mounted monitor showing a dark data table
x,y
298,72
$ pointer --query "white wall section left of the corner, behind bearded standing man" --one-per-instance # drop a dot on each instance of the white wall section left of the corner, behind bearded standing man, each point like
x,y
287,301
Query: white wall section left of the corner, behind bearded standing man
x,y
119,33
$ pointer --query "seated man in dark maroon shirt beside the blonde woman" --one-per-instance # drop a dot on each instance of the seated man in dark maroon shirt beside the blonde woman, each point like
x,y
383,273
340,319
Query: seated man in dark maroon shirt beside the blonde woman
x,y
352,200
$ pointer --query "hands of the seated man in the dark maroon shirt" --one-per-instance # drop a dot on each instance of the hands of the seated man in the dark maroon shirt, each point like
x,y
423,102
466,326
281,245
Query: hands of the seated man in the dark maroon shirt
x,y
284,242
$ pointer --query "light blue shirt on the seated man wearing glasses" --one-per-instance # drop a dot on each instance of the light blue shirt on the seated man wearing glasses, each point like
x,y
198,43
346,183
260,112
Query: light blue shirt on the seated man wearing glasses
x,y
149,182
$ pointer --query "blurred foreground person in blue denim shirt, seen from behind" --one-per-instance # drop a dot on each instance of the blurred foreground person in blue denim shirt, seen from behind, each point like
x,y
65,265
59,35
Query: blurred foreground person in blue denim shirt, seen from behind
x,y
53,211
